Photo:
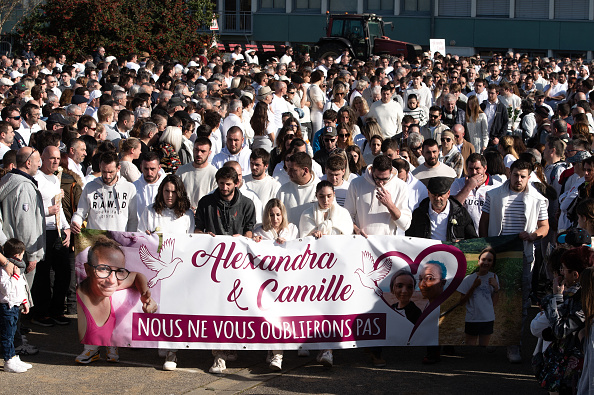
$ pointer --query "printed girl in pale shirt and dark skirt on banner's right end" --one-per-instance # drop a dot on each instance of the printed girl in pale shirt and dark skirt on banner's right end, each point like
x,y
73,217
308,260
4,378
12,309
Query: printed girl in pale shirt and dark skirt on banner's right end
x,y
480,294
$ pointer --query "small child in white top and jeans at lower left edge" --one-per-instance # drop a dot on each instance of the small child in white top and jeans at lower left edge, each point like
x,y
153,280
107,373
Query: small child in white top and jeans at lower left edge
x,y
14,295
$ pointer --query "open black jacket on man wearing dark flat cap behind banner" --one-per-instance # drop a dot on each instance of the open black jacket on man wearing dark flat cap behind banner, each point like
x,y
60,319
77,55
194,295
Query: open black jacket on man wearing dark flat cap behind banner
x,y
420,225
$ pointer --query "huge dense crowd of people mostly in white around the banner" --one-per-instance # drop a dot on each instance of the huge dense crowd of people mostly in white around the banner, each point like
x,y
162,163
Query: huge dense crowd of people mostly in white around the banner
x,y
443,147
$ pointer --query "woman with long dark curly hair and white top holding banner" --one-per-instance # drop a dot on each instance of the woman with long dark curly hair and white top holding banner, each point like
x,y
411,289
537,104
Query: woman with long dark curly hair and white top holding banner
x,y
169,213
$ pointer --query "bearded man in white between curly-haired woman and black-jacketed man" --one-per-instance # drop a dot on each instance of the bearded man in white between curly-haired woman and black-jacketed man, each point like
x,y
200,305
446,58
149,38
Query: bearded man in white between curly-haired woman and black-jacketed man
x,y
198,176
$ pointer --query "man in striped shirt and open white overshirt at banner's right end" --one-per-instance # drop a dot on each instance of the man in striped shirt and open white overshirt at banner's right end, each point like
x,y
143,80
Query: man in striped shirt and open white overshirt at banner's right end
x,y
517,208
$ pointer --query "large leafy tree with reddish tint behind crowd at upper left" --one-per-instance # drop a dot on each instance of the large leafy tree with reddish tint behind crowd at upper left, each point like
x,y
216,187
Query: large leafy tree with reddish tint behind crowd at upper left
x,y
77,27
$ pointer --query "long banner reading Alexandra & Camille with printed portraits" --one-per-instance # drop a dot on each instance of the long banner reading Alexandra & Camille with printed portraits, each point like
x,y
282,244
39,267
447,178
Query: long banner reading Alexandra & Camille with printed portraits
x,y
335,292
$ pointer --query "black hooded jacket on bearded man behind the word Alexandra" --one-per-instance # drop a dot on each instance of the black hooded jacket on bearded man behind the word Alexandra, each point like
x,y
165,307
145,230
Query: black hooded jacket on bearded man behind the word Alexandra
x,y
220,217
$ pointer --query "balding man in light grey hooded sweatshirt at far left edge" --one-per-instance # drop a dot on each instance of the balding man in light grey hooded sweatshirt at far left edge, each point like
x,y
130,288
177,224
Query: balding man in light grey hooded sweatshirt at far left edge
x,y
21,205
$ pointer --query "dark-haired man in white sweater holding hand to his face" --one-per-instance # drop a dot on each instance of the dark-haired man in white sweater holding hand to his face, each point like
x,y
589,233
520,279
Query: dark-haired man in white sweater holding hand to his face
x,y
378,200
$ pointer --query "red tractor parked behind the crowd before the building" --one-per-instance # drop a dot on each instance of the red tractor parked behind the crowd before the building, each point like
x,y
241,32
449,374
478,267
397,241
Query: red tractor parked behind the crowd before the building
x,y
362,35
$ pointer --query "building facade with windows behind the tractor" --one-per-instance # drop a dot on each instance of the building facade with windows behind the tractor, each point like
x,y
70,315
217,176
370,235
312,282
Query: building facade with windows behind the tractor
x,y
536,27
